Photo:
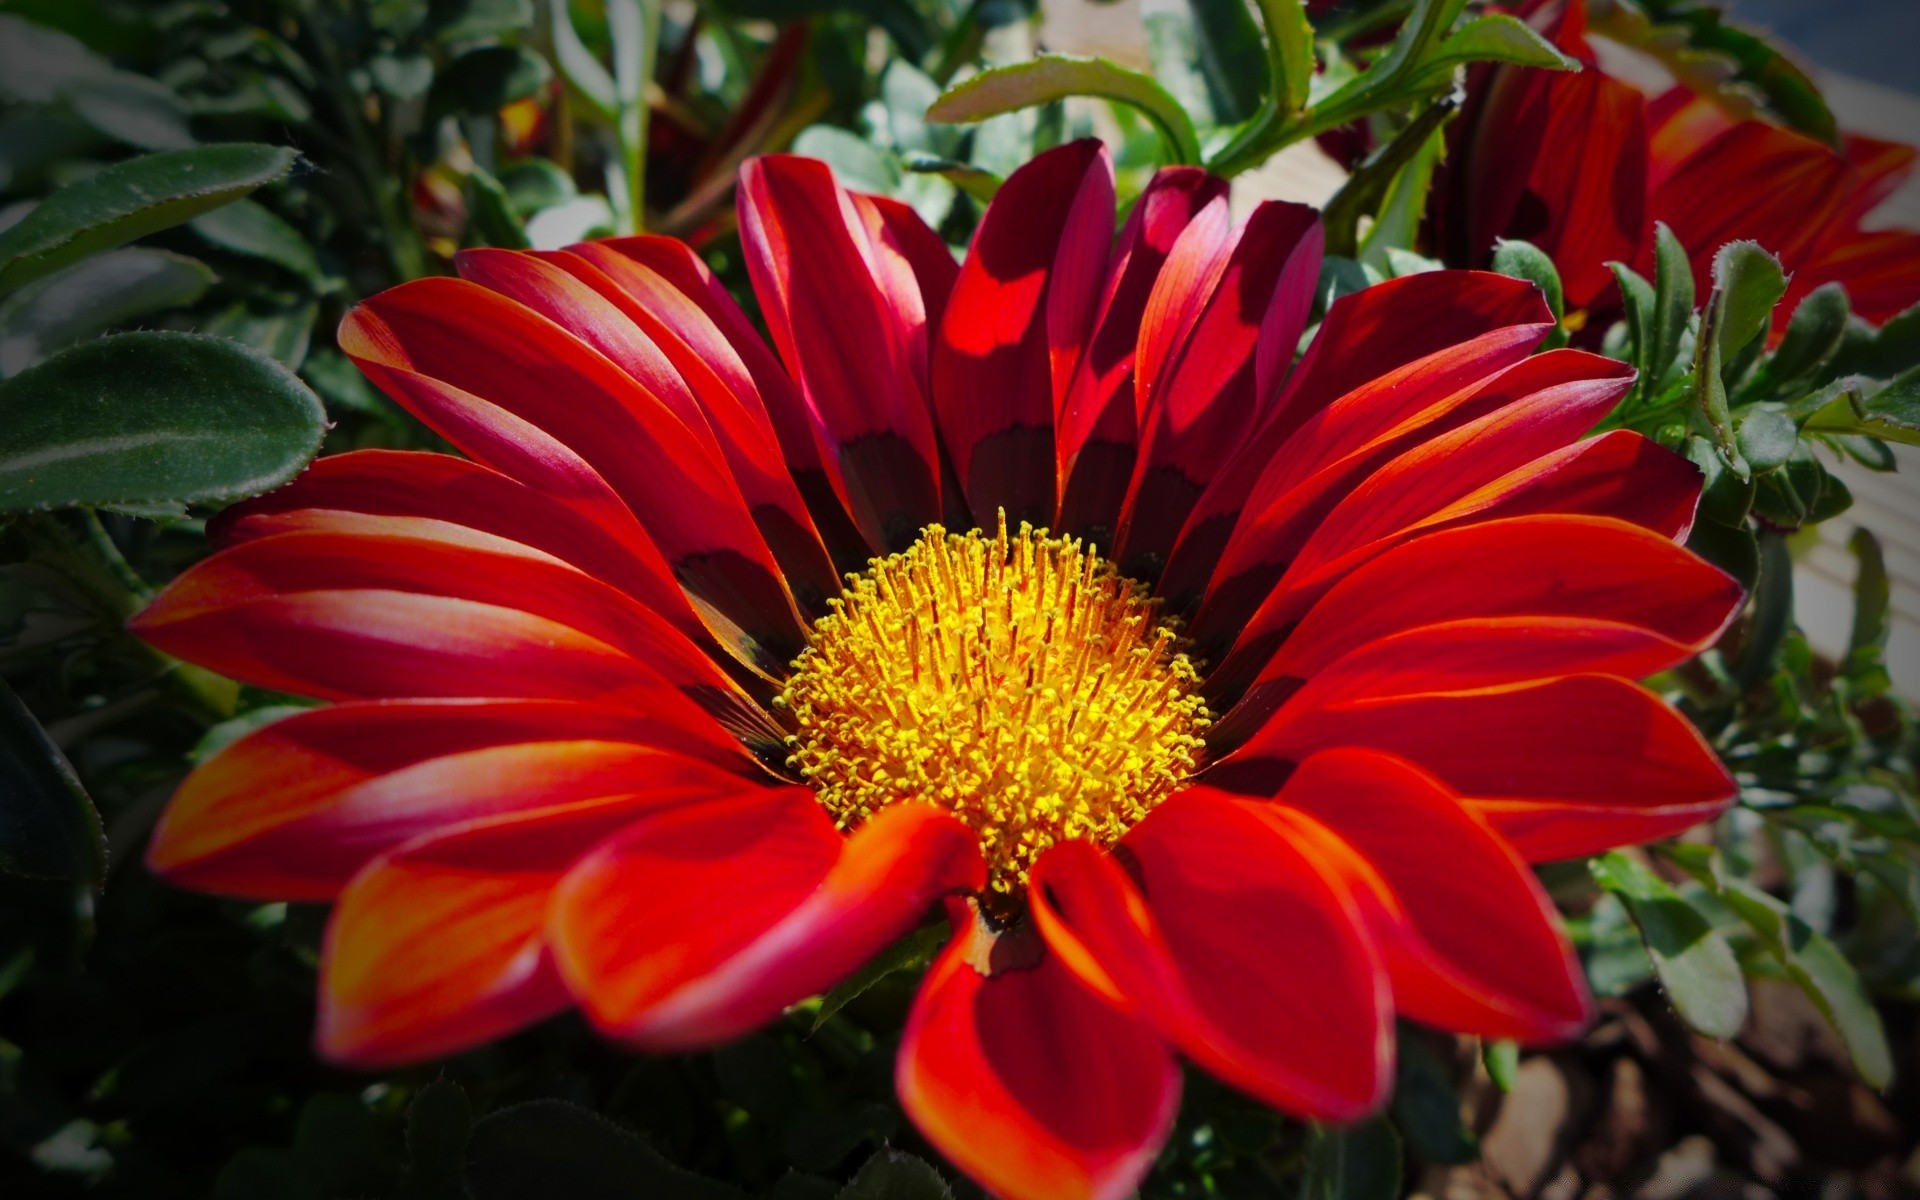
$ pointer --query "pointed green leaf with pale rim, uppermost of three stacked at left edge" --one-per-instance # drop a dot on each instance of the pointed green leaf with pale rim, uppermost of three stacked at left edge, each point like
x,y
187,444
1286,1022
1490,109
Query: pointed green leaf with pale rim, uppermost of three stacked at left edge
x,y
132,201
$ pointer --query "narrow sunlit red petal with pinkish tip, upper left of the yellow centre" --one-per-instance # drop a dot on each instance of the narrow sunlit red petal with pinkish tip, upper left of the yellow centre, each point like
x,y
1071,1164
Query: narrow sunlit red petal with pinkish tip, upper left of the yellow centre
x,y
717,418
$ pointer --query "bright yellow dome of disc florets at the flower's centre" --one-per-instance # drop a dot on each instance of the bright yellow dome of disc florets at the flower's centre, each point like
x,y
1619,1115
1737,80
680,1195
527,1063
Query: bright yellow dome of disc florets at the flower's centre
x,y
1020,683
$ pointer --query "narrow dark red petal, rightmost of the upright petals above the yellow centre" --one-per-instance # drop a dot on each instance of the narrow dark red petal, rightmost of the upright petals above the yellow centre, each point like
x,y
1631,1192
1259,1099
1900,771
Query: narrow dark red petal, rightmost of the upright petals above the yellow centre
x,y
1224,373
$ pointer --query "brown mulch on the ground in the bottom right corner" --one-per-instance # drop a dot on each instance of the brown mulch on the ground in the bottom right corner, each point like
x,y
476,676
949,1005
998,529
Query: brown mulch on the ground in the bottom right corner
x,y
1648,1111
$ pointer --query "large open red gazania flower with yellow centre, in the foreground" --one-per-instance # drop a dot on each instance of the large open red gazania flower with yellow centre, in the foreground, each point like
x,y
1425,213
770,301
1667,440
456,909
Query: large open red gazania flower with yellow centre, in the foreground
x,y
610,731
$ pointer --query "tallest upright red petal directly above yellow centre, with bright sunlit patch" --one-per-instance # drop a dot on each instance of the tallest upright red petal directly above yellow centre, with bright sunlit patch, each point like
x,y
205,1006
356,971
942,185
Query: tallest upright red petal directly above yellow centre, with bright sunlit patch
x,y
1017,325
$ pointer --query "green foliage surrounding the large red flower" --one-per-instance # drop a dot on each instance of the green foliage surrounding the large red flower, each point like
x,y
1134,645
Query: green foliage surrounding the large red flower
x,y
193,195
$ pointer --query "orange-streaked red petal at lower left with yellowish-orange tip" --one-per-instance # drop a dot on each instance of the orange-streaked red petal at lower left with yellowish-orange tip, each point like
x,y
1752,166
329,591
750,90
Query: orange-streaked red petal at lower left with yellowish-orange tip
x,y
439,946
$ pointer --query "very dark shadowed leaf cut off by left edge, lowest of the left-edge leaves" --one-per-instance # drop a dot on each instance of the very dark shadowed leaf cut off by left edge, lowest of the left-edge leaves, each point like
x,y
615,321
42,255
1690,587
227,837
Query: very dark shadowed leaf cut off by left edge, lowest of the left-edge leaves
x,y
49,827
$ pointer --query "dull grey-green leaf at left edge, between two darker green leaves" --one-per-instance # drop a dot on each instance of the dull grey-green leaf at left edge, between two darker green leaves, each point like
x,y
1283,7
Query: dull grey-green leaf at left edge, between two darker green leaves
x,y
93,297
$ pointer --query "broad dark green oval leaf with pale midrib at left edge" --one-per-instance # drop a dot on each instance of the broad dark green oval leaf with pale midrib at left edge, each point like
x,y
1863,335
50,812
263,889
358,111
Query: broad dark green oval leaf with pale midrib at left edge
x,y
153,418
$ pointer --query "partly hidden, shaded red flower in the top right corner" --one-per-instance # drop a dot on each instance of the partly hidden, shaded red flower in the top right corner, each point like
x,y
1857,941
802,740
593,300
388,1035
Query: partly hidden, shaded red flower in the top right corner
x,y
1583,166
